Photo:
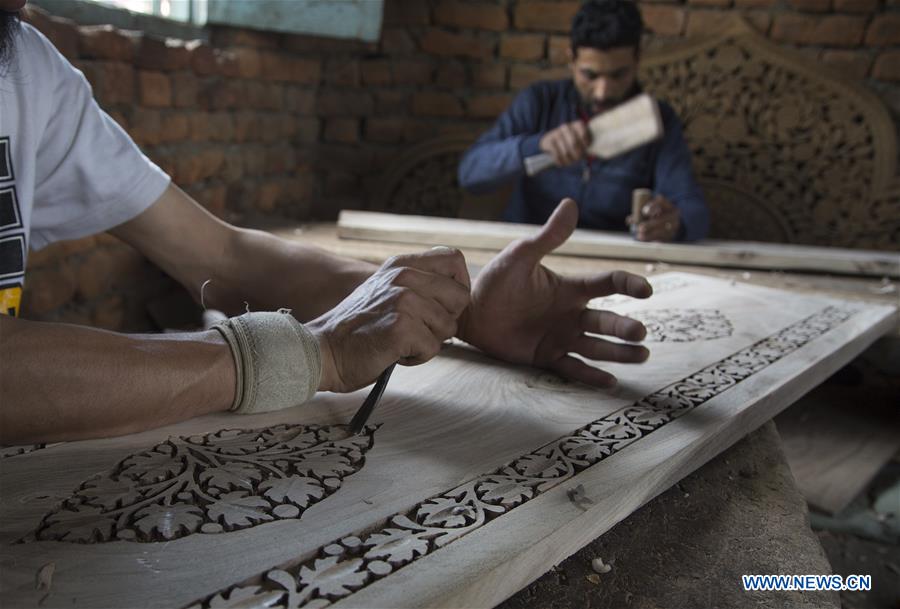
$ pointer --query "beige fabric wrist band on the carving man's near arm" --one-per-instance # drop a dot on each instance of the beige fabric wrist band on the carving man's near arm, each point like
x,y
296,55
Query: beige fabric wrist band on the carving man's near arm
x,y
277,361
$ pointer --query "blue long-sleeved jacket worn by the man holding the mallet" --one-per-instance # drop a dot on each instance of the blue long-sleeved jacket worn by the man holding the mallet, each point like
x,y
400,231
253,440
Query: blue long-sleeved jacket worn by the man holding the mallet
x,y
604,198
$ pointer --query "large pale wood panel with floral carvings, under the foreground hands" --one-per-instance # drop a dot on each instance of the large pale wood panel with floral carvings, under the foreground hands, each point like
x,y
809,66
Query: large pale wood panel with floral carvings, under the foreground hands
x,y
458,494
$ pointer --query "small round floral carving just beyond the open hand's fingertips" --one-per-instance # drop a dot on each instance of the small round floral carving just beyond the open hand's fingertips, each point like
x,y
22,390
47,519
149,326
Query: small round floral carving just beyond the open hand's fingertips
x,y
683,325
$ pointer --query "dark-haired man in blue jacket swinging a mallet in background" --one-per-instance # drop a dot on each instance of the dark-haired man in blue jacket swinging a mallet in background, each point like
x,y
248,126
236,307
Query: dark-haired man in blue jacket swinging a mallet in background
x,y
551,117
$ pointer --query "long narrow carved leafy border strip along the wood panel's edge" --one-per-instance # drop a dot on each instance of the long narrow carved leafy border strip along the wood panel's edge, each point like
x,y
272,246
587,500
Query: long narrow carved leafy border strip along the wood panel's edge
x,y
345,566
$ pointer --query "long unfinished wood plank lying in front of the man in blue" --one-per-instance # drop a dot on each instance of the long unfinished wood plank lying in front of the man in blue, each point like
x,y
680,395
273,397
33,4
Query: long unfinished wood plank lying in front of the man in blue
x,y
496,235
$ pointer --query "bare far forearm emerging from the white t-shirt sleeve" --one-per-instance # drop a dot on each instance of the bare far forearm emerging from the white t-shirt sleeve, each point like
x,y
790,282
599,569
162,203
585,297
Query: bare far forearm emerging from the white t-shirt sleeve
x,y
243,265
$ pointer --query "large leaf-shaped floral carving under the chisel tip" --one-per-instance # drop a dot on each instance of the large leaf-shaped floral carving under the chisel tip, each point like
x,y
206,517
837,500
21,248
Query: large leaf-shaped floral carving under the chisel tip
x,y
223,481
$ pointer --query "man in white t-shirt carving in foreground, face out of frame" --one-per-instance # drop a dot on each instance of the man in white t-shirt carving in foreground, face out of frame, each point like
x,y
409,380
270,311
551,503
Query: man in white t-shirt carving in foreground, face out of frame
x,y
67,170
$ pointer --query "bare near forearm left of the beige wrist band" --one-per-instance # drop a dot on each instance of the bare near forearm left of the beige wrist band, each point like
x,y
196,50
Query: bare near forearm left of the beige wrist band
x,y
70,382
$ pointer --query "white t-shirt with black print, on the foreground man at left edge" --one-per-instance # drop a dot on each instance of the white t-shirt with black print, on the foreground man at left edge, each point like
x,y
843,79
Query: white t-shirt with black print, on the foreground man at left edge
x,y
67,170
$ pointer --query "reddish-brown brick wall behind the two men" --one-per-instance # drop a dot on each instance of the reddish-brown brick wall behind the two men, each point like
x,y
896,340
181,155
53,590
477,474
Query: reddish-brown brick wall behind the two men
x,y
260,123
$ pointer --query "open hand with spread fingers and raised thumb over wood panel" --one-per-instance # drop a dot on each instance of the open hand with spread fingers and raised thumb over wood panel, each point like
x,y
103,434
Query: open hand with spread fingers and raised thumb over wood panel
x,y
524,313
